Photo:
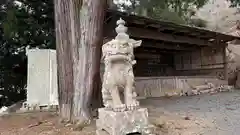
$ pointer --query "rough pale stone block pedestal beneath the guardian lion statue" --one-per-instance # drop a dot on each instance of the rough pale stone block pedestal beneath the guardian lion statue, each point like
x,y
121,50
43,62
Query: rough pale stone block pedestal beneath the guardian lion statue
x,y
123,123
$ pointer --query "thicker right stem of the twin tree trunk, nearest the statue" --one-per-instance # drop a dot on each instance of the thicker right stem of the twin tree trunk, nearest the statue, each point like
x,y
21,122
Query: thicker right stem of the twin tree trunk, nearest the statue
x,y
87,59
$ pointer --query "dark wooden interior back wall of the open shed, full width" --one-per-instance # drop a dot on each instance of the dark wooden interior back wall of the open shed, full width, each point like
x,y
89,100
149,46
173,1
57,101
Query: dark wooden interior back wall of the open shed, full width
x,y
208,61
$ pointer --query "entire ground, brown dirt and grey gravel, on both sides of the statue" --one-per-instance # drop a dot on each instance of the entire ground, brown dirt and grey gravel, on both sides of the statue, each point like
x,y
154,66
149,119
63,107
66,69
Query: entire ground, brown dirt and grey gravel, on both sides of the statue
x,y
217,114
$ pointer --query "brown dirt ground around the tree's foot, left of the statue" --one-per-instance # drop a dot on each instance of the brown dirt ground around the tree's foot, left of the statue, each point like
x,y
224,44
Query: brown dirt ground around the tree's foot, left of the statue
x,y
41,123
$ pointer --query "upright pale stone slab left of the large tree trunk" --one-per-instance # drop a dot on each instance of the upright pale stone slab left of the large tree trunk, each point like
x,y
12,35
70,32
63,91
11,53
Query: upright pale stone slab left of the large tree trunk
x,y
42,89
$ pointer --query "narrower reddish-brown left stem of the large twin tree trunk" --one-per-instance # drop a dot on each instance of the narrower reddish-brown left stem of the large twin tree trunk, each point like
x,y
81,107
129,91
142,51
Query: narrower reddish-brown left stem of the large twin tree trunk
x,y
64,57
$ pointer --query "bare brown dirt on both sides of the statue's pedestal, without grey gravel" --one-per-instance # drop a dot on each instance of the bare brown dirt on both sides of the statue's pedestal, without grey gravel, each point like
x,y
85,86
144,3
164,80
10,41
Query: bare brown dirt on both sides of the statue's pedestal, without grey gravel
x,y
48,124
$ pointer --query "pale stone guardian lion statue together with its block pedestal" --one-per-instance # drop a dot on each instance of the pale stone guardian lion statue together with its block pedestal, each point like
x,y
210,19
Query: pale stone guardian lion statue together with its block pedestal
x,y
122,114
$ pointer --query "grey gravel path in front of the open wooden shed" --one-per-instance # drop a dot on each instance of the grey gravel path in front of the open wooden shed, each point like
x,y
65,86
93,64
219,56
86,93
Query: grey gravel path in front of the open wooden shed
x,y
221,111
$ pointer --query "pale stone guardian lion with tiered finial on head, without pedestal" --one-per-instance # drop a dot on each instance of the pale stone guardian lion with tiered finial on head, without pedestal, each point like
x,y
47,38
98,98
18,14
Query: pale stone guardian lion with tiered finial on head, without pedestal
x,y
118,79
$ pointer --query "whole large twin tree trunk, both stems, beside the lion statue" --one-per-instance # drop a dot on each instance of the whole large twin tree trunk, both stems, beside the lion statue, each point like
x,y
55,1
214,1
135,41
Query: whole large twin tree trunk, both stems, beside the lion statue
x,y
79,30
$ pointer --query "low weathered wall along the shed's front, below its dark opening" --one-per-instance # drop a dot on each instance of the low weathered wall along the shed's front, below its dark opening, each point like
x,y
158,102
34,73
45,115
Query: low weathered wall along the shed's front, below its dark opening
x,y
161,86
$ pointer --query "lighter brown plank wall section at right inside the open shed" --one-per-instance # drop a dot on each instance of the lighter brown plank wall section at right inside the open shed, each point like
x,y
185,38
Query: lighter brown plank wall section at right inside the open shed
x,y
205,61
